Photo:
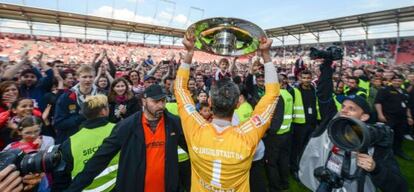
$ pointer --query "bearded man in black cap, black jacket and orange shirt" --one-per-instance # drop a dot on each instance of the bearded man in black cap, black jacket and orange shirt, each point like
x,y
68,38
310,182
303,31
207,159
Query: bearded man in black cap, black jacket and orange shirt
x,y
148,142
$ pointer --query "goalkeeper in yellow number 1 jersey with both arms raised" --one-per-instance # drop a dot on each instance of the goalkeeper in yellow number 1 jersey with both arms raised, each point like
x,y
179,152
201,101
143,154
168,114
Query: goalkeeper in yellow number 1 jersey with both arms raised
x,y
221,154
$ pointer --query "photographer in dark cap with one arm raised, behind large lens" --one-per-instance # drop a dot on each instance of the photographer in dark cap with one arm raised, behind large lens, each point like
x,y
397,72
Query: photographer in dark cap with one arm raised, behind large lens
x,y
381,167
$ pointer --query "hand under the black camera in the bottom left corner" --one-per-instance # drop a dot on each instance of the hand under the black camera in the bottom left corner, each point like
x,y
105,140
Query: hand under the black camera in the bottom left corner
x,y
12,181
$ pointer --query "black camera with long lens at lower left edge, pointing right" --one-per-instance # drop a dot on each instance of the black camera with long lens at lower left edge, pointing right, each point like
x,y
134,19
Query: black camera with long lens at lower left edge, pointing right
x,y
37,162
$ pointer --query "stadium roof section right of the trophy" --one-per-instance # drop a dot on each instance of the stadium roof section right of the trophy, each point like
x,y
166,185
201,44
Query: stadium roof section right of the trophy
x,y
363,20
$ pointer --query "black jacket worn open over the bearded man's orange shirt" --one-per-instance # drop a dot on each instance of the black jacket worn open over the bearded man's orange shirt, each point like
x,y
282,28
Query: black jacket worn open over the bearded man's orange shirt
x,y
128,137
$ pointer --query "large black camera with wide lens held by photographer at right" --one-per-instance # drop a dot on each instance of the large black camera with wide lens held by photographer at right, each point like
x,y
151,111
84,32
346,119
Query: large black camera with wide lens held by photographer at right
x,y
349,135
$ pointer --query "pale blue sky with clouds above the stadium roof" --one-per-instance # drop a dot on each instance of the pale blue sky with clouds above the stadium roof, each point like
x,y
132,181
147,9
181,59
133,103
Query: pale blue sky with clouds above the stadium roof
x,y
181,13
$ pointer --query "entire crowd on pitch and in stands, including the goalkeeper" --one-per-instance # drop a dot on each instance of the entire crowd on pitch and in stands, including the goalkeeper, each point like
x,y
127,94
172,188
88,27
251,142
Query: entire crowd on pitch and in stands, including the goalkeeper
x,y
156,120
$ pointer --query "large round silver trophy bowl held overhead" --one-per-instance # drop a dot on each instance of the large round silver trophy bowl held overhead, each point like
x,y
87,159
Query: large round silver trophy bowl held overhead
x,y
226,36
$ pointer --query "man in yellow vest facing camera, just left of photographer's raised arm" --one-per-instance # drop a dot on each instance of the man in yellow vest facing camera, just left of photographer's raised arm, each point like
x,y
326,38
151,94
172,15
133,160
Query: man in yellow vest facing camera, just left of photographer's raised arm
x,y
305,116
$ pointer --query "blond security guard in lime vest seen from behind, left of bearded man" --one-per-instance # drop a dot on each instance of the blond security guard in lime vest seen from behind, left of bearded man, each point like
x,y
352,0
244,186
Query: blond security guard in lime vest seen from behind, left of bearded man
x,y
80,147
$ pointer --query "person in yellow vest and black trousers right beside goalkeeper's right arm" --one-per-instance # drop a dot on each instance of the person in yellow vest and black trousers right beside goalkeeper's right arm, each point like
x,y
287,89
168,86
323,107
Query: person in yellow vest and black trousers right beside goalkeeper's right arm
x,y
278,141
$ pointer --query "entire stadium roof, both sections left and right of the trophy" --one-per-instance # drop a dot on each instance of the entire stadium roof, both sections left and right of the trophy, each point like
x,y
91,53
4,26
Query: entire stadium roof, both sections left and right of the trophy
x,y
25,13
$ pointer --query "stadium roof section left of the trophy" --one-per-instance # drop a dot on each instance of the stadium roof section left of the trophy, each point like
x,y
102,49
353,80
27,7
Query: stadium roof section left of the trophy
x,y
17,12
